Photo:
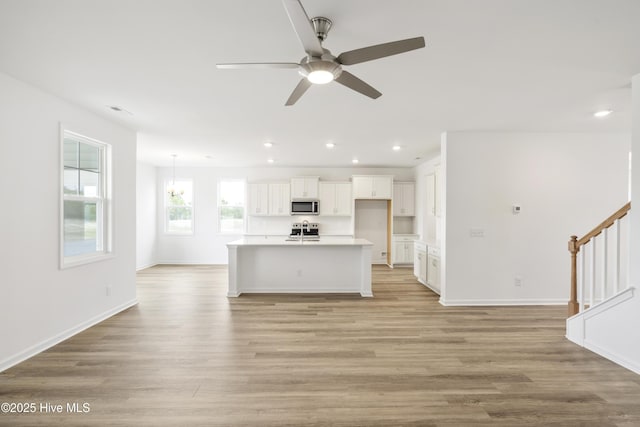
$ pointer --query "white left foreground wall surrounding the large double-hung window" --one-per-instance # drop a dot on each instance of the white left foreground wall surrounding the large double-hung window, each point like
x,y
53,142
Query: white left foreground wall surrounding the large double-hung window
x,y
41,304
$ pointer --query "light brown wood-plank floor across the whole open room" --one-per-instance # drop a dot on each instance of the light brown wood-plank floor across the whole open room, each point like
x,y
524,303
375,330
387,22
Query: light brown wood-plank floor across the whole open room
x,y
187,355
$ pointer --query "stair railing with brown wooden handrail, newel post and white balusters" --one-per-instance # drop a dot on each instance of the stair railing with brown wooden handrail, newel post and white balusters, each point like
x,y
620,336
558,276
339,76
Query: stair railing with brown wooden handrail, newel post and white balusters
x,y
578,301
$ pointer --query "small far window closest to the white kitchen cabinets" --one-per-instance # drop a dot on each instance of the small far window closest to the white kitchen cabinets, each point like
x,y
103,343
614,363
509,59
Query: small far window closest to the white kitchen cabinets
x,y
231,209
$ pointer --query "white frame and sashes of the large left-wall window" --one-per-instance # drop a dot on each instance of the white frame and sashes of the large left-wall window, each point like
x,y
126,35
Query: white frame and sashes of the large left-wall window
x,y
102,199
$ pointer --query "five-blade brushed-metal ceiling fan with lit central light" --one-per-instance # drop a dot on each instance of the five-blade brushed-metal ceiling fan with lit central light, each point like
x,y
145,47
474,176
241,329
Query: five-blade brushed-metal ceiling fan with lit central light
x,y
320,66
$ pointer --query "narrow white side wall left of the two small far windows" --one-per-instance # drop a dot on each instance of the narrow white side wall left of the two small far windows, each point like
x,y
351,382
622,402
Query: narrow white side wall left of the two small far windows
x,y
146,216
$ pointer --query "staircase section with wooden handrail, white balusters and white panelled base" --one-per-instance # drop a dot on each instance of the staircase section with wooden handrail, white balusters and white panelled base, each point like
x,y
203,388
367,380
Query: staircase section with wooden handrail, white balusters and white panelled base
x,y
604,310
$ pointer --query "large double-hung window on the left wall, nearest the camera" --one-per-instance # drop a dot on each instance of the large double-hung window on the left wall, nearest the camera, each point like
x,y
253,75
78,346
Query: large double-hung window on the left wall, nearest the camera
x,y
85,199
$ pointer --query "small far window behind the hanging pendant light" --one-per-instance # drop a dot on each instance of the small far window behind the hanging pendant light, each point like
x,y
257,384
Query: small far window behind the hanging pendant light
x,y
178,207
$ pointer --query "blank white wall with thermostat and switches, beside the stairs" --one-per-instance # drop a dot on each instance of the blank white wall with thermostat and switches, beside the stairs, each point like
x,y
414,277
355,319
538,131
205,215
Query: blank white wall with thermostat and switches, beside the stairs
x,y
566,184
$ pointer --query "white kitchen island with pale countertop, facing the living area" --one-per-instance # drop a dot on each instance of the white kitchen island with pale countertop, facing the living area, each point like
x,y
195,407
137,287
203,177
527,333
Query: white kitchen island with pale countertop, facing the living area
x,y
277,265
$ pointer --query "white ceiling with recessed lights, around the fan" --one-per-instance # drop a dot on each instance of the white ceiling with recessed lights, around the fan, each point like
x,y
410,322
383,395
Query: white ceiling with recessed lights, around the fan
x,y
515,65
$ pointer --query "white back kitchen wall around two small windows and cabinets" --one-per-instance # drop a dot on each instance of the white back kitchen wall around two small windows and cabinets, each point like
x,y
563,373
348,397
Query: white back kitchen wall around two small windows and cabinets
x,y
206,245
